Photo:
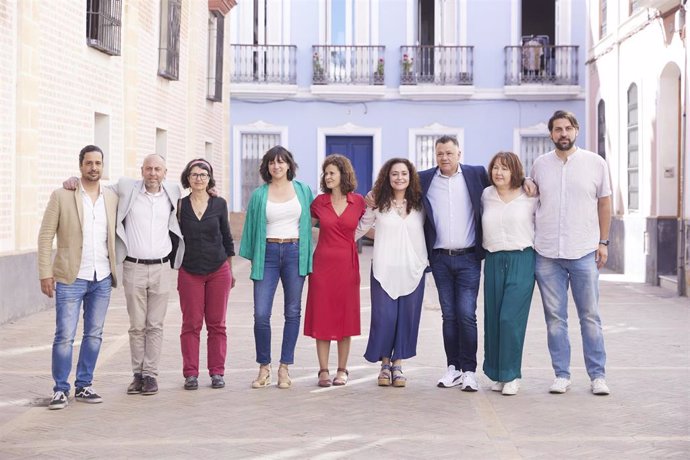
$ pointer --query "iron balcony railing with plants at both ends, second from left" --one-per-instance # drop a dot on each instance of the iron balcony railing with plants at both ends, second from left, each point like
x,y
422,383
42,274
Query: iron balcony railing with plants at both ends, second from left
x,y
348,64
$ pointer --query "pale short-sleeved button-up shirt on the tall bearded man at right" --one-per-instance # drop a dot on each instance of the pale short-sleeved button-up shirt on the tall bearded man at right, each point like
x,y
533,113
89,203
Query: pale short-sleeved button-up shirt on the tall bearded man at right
x,y
567,219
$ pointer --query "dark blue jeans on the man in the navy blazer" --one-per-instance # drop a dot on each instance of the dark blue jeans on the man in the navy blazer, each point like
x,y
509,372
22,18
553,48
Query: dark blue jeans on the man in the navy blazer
x,y
457,281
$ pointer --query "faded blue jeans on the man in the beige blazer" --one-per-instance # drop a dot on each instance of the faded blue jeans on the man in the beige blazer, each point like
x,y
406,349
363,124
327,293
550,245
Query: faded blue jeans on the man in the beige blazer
x,y
95,296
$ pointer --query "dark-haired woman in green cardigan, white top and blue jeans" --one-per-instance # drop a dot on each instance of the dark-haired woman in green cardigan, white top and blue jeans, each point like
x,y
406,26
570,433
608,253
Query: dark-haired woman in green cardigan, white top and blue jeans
x,y
277,240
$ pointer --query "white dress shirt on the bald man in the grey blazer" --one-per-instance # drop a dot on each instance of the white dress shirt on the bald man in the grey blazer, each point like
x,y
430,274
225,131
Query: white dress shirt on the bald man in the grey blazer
x,y
146,225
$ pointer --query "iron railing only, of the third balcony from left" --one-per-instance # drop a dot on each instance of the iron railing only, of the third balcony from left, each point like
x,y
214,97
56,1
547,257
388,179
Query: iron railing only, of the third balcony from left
x,y
436,65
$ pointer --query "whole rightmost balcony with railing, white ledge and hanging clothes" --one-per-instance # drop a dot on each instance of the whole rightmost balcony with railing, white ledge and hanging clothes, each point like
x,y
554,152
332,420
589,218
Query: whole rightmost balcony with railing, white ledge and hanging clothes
x,y
541,70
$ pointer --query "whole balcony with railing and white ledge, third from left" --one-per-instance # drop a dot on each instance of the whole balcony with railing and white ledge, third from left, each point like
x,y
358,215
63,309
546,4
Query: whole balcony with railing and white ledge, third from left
x,y
436,71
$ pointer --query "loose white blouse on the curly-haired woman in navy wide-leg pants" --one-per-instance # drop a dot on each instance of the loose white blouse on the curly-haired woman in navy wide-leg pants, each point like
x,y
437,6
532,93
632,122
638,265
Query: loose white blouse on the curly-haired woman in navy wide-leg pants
x,y
400,256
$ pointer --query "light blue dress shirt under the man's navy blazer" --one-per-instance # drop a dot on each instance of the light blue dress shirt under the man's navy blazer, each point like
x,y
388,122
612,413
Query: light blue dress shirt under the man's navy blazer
x,y
453,214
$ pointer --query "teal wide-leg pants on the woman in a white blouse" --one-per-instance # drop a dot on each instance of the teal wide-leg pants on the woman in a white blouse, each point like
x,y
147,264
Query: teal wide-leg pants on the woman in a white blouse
x,y
508,288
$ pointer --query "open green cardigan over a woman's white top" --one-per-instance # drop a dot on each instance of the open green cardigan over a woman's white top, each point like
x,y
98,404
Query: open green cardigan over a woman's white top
x,y
253,244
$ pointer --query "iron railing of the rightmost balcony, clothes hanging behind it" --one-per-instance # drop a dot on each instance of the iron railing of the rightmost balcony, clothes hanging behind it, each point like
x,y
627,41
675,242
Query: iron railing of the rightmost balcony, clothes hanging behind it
x,y
545,64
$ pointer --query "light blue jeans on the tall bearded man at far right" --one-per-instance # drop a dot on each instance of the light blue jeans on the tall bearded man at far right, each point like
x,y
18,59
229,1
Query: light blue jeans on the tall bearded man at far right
x,y
553,278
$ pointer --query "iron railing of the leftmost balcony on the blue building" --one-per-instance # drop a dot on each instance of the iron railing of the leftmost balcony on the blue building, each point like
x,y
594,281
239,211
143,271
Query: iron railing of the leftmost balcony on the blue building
x,y
264,64
